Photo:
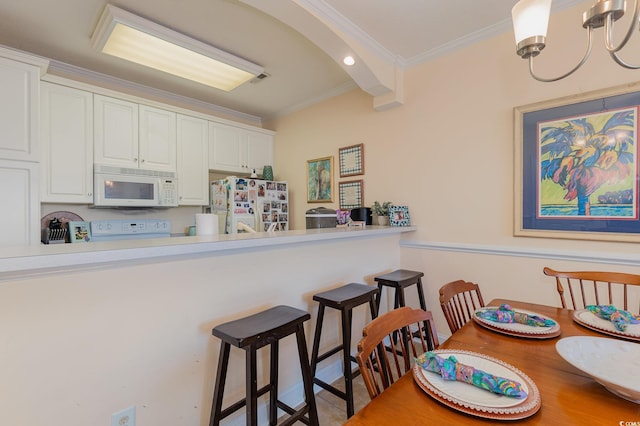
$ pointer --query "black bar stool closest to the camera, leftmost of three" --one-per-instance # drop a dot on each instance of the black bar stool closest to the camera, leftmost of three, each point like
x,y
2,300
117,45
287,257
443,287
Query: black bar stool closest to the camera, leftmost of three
x,y
251,333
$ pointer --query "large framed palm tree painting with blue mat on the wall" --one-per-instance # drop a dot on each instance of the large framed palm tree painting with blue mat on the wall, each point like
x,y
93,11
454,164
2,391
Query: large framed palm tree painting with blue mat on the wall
x,y
577,167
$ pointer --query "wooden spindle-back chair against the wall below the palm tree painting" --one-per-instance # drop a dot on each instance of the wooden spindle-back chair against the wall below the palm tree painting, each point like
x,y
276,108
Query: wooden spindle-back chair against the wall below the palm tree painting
x,y
597,288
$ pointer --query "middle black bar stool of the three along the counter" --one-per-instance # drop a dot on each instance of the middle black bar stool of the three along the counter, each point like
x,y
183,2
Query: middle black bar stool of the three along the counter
x,y
344,299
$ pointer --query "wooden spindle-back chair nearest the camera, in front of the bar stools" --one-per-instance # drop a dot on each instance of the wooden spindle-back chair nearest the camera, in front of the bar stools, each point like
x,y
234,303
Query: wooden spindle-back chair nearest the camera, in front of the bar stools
x,y
382,357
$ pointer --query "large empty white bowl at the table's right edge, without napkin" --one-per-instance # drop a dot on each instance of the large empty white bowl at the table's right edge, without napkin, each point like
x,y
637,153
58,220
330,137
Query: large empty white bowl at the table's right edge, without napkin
x,y
613,363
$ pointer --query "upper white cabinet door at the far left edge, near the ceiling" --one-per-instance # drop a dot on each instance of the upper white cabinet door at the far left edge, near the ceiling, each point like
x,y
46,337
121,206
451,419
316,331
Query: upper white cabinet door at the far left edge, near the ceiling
x,y
19,95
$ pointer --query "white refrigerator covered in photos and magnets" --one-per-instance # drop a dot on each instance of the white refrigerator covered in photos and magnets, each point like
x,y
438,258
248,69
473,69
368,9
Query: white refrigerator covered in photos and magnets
x,y
251,205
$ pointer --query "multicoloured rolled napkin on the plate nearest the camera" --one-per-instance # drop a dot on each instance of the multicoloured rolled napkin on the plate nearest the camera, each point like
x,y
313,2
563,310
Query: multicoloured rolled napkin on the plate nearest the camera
x,y
450,369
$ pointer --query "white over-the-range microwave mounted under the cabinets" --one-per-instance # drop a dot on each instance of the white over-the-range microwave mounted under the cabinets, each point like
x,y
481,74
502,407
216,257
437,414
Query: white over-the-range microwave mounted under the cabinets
x,y
123,187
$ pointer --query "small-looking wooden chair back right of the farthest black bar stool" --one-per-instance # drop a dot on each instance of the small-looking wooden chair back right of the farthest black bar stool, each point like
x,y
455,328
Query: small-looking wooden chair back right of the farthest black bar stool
x,y
459,300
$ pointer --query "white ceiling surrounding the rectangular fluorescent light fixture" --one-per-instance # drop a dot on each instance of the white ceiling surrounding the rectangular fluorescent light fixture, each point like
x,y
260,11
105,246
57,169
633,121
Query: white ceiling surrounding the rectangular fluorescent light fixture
x,y
302,68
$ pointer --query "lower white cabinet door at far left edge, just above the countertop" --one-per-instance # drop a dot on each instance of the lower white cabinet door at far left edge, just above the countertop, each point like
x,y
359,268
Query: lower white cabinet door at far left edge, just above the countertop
x,y
20,208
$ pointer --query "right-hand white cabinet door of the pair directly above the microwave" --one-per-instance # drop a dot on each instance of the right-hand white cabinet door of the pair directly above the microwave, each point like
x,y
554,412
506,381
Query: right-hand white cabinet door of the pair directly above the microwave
x,y
157,139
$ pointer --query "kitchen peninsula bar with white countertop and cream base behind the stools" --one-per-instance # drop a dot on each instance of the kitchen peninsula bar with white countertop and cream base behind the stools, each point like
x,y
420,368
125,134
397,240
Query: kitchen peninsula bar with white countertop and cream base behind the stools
x,y
90,329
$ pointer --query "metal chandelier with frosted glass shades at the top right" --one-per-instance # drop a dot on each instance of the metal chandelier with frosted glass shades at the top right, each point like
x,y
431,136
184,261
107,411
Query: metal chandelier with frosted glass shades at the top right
x,y
531,19
